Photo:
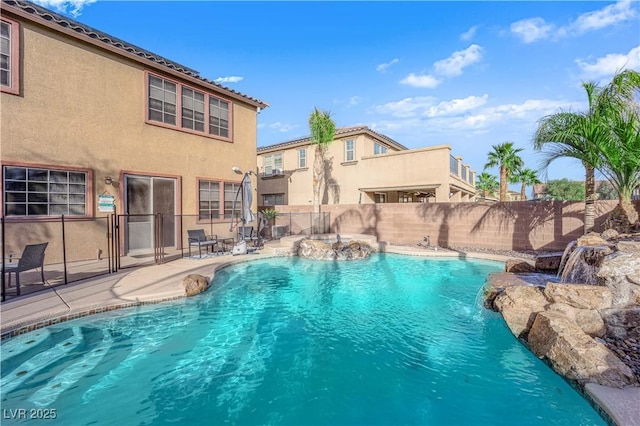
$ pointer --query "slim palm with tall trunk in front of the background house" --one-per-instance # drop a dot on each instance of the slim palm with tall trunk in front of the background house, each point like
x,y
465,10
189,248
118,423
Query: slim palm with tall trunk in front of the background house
x,y
322,129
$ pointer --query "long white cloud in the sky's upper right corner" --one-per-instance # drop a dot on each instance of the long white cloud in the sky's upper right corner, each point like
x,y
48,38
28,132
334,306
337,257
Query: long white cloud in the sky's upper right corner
x,y
534,29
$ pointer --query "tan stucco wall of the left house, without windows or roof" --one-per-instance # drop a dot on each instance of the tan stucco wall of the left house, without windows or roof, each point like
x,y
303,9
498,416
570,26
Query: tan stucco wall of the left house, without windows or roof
x,y
81,106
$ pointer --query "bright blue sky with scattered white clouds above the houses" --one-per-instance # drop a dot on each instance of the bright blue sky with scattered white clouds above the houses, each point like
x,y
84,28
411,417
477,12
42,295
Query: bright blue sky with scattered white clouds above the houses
x,y
466,74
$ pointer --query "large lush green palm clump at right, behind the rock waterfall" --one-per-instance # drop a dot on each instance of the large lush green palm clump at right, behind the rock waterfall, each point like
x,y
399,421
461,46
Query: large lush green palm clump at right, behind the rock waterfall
x,y
605,138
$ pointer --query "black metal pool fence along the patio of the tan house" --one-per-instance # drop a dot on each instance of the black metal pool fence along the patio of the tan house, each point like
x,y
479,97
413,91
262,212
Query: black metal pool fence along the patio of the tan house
x,y
78,249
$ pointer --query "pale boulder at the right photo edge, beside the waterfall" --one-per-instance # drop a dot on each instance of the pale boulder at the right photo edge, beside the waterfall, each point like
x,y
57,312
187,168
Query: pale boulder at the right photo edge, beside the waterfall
x,y
620,272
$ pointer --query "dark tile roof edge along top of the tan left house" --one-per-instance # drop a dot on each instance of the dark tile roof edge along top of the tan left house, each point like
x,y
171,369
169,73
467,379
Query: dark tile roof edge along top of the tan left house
x,y
87,31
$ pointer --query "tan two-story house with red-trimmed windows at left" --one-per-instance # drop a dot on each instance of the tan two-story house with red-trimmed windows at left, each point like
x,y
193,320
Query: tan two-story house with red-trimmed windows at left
x,y
85,114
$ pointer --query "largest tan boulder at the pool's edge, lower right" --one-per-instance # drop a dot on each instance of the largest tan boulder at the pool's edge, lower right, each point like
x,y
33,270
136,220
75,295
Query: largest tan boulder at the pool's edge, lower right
x,y
574,354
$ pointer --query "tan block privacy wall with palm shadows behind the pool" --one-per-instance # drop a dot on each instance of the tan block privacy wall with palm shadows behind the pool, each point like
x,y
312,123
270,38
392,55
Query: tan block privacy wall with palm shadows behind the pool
x,y
526,225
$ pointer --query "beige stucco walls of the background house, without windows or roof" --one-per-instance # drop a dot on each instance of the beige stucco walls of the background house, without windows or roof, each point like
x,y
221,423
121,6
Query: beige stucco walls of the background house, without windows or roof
x,y
426,167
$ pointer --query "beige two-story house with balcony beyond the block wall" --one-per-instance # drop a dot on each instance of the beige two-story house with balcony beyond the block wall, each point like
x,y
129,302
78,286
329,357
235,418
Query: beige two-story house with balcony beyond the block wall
x,y
362,166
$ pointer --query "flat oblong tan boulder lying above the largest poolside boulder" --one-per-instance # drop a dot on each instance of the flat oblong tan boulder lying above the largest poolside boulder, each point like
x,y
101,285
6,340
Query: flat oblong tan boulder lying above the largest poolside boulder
x,y
579,296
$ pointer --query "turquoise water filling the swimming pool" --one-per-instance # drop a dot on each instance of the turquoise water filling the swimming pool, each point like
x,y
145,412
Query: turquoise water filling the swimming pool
x,y
288,341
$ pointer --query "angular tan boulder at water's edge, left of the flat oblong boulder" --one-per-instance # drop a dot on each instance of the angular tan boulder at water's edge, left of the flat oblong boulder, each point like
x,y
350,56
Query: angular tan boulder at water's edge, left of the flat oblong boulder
x,y
519,306
